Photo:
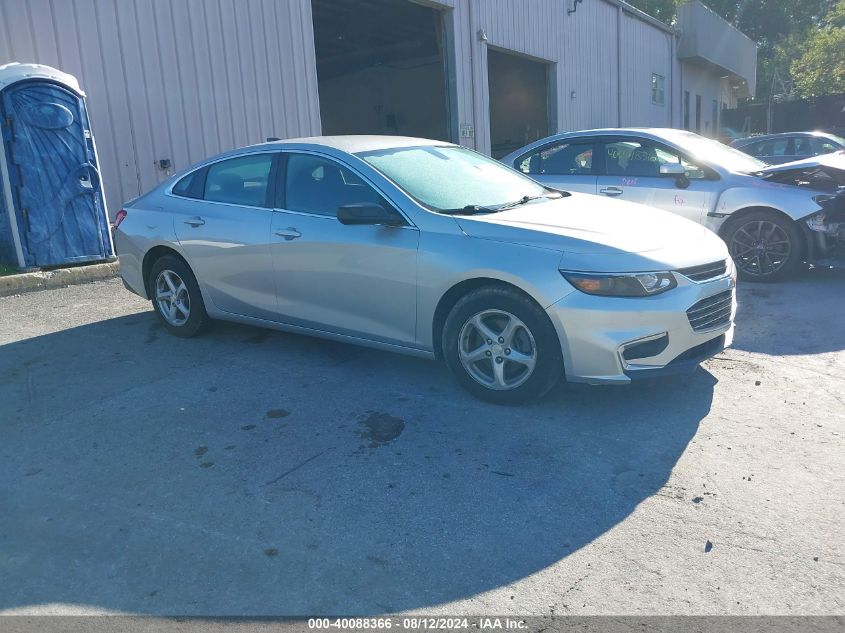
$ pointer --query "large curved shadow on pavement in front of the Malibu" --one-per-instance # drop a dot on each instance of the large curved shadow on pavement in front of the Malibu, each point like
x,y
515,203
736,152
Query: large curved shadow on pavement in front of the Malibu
x,y
253,472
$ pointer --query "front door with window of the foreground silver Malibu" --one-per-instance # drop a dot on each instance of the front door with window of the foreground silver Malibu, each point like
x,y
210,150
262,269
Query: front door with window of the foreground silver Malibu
x,y
354,280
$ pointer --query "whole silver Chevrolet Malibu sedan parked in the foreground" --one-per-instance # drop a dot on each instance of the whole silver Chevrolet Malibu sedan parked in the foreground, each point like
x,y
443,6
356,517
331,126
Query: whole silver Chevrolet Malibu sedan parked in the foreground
x,y
431,249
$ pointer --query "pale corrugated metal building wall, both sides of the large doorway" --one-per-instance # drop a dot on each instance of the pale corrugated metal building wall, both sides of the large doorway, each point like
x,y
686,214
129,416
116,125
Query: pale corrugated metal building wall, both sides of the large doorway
x,y
185,79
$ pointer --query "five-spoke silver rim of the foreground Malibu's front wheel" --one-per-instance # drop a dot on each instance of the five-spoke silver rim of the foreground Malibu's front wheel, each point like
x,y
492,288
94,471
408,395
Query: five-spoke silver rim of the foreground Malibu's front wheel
x,y
497,350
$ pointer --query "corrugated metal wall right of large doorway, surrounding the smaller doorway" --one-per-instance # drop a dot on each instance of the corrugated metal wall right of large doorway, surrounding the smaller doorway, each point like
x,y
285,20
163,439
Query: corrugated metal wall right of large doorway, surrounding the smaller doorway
x,y
583,52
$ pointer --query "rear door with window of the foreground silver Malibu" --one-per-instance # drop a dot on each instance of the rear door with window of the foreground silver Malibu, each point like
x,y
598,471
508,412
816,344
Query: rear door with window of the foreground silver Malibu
x,y
222,215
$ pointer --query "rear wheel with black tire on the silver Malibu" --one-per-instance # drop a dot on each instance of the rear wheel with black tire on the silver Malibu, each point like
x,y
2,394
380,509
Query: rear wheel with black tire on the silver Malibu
x,y
197,319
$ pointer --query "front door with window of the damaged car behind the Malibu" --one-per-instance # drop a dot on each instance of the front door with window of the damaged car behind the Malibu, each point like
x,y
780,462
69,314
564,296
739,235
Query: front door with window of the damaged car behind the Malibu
x,y
630,170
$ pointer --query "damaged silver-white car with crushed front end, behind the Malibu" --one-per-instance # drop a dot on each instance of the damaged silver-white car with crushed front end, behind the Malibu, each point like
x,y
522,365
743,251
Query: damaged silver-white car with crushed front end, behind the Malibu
x,y
773,218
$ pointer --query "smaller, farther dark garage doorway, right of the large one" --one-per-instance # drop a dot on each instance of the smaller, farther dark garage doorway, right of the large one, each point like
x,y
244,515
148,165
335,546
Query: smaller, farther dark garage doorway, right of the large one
x,y
519,101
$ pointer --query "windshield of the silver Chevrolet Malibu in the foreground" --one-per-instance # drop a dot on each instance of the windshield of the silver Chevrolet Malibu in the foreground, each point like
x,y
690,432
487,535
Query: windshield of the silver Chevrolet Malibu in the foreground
x,y
452,178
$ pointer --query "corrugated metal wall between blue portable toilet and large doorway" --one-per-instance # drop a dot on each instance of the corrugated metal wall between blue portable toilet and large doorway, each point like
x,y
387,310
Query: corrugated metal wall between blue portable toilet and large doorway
x,y
173,79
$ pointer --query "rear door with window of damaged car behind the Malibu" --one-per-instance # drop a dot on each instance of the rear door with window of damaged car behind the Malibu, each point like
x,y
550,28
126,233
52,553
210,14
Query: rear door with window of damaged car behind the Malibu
x,y
565,164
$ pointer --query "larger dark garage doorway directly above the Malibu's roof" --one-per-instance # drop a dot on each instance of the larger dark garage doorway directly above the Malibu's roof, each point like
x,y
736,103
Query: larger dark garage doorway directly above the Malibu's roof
x,y
381,68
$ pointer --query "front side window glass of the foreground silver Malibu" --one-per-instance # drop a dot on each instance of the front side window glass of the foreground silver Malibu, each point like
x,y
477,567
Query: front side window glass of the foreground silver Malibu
x,y
320,186
